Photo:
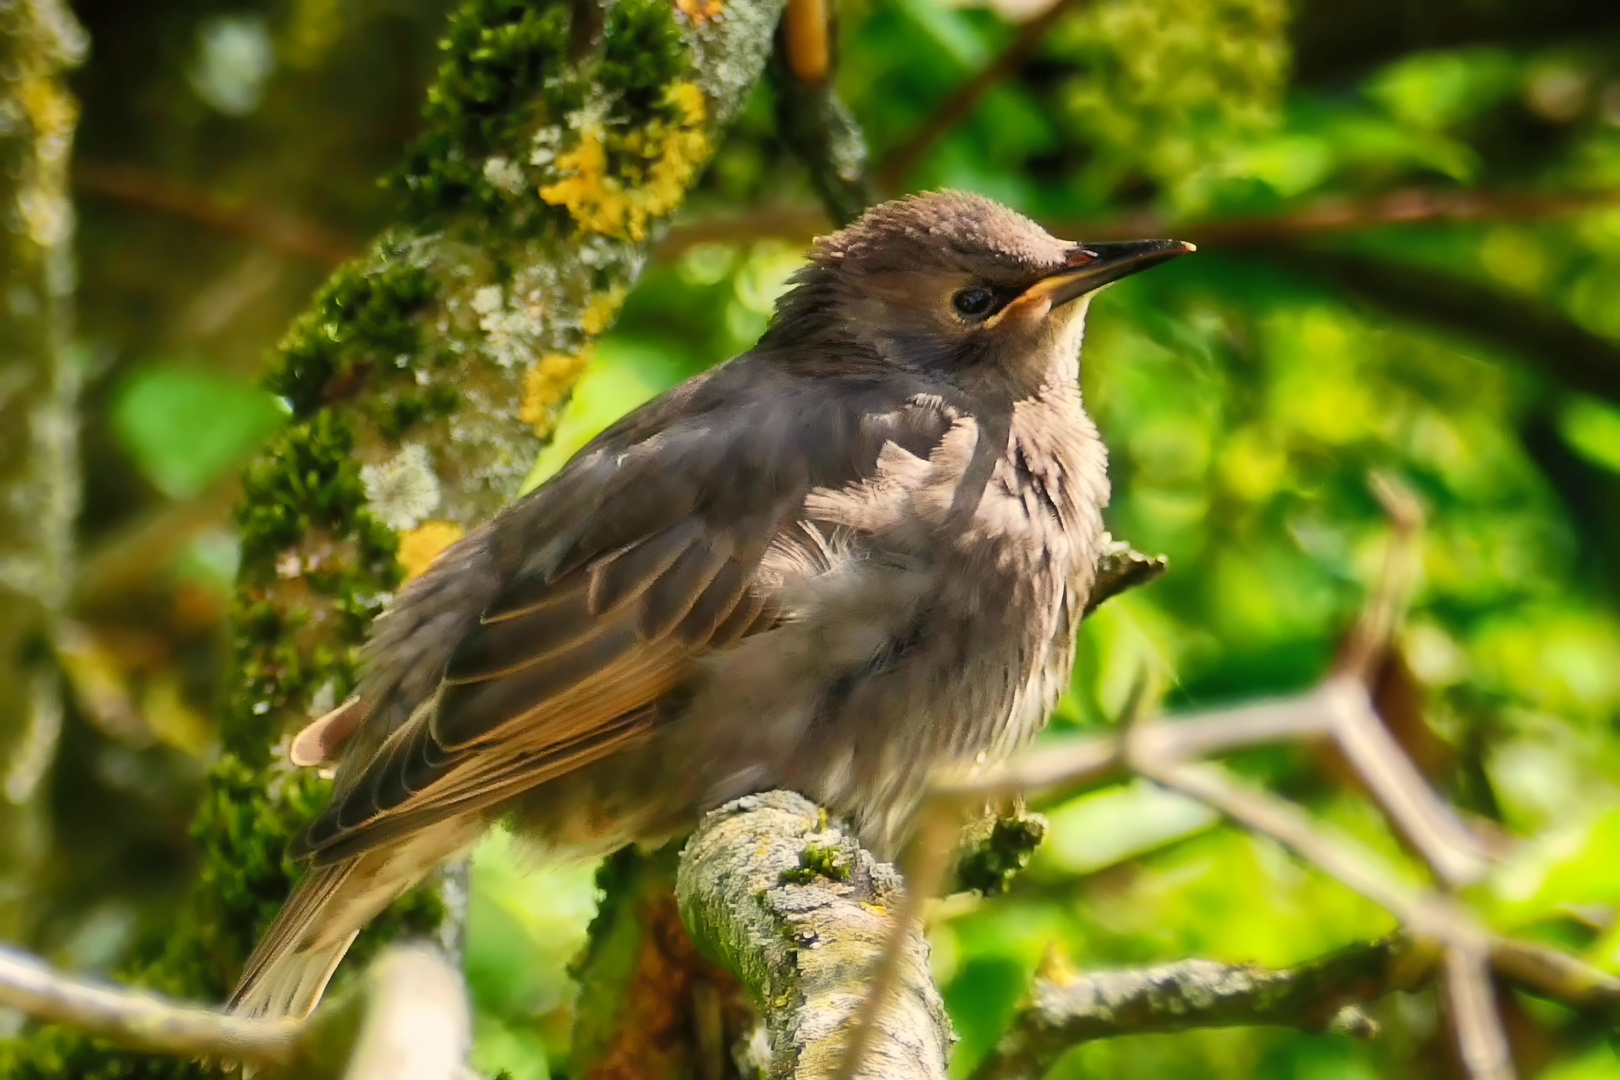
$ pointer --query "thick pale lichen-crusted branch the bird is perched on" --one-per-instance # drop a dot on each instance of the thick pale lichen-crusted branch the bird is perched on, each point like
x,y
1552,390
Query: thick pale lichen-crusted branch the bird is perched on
x,y
798,912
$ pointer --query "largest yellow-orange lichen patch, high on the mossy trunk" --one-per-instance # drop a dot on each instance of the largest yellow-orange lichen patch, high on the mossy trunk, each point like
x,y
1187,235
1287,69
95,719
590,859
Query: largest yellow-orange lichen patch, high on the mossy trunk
x,y
616,184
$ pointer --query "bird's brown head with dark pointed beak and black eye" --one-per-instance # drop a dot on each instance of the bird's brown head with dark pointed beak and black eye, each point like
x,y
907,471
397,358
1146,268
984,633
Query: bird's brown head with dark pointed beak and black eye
x,y
960,286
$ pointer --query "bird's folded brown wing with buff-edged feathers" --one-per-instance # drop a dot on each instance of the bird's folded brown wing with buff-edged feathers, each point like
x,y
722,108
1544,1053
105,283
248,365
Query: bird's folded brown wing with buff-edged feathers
x,y
547,640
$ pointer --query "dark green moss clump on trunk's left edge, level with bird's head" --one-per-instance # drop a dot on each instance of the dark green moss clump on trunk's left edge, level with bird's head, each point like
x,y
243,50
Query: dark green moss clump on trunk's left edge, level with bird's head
x,y
360,320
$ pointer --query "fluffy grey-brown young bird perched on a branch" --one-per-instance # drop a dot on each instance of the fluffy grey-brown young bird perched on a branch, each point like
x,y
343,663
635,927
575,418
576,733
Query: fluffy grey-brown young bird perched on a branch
x,y
845,559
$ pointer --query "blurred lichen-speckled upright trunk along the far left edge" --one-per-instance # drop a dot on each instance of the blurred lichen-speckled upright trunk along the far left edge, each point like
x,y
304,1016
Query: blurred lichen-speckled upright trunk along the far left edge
x,y
40,456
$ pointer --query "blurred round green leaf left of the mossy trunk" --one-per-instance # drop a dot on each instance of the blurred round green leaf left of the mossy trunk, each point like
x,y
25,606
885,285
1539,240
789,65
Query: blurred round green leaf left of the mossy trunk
x,y
185,428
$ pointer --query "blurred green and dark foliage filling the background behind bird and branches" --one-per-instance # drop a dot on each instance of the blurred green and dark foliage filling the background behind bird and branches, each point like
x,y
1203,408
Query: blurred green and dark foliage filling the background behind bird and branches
x,y
1245,396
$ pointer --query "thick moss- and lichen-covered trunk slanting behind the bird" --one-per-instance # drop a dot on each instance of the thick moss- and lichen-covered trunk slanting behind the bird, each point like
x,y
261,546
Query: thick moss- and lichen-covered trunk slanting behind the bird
x,y
420,386
